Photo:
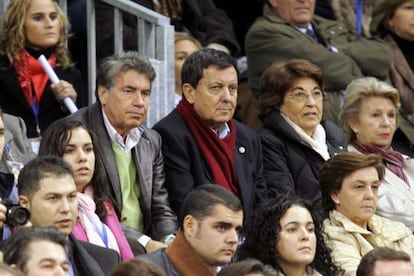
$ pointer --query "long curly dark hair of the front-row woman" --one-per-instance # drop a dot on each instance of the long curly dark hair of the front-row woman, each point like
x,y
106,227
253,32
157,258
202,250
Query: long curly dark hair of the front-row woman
x,y
260,242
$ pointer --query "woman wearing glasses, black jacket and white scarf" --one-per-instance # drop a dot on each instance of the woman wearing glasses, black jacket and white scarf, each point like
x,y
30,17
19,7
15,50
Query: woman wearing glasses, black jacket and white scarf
x,y
295,139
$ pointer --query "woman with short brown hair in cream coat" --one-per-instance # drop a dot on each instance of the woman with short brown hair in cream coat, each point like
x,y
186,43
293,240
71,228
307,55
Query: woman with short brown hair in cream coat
x,y
349,183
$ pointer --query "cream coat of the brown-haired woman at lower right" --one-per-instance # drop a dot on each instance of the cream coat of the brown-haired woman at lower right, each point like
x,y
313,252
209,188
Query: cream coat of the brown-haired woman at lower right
x,y
349,242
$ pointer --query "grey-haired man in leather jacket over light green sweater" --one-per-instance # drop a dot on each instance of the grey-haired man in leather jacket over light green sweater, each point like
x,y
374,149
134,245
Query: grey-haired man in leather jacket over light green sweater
x,y
131,152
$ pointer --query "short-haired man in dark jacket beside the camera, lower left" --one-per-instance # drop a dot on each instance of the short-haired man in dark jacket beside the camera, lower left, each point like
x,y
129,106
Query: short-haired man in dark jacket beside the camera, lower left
x,y
48,190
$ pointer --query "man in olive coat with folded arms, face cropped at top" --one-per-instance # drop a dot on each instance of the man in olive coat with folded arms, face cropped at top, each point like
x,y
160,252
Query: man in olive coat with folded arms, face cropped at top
x,y
285,31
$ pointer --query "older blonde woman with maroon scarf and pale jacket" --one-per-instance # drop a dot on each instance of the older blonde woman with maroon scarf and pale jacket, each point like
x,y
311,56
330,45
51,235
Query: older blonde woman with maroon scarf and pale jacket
x,y
369,118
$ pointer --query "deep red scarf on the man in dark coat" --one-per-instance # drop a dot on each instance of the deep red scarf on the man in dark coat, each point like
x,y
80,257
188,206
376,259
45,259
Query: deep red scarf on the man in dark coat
x,y
218,153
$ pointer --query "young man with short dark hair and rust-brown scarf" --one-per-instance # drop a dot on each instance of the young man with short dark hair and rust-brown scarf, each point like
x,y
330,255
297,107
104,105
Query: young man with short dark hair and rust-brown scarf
x,y
210,221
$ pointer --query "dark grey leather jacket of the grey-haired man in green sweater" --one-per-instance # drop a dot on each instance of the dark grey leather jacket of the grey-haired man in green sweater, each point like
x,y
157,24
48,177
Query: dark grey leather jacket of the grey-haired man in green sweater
x,y
159,219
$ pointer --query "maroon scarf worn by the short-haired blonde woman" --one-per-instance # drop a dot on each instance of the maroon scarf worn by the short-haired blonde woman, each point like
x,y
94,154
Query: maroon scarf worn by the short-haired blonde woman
x,y
393,160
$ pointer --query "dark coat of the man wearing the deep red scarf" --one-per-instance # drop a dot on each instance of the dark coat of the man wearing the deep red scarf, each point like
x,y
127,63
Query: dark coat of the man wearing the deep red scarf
x,y
185,167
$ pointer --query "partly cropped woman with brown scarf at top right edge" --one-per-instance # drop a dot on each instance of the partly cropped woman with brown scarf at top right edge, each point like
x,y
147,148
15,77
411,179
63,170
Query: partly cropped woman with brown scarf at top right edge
x,y
393,21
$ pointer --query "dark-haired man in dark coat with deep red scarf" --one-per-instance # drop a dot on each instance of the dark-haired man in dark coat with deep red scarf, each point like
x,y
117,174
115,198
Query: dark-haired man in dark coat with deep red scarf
x,y
202,143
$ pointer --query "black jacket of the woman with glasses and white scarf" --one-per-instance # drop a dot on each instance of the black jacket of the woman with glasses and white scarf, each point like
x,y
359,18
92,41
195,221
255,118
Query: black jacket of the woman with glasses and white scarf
x,y
290,165
